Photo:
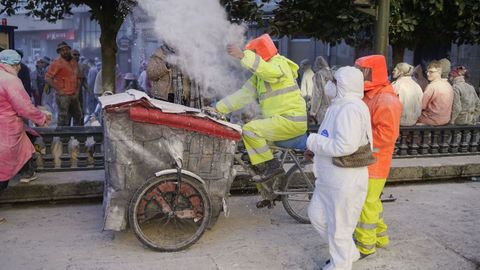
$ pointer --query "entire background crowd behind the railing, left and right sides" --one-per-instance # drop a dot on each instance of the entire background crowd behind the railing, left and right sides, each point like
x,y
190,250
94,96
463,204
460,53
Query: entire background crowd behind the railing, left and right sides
x,y
432,94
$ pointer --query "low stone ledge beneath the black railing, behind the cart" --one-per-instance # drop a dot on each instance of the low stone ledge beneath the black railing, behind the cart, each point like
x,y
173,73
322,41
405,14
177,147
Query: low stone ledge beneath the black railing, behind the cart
x,y
89,184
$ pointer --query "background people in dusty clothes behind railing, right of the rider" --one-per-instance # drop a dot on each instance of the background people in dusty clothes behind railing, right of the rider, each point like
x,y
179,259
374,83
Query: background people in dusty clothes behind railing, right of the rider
x,y
434,94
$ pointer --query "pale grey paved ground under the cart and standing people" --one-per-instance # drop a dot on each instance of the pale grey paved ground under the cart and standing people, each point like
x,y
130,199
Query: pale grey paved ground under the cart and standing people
x,y
431,226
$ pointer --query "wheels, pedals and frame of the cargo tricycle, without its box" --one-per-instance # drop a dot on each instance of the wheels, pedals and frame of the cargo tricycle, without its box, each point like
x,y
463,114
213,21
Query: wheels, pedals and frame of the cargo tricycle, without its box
x,y
172,209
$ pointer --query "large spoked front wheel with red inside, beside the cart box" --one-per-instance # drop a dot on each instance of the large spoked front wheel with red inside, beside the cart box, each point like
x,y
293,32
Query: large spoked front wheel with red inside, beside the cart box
x,y
169,215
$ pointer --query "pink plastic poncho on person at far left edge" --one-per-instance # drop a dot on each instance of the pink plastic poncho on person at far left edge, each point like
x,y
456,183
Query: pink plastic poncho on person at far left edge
x,y
15,147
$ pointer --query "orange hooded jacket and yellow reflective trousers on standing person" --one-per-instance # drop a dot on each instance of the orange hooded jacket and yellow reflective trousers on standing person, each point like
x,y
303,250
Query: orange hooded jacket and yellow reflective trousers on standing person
x,y
385,111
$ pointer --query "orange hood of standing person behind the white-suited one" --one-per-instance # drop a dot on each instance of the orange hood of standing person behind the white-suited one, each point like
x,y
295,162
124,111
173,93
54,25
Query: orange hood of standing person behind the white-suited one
x,y
378,67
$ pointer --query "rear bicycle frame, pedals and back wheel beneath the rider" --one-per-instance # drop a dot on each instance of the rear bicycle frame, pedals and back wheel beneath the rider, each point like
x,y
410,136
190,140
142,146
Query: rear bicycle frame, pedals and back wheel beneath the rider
x,y
295,188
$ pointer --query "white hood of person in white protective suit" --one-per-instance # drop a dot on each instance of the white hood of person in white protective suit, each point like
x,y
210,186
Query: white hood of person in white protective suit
x,y
349,83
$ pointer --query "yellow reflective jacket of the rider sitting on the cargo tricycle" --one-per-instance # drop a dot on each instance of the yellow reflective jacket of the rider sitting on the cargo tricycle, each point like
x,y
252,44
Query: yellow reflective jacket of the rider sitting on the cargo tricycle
x,y
273,85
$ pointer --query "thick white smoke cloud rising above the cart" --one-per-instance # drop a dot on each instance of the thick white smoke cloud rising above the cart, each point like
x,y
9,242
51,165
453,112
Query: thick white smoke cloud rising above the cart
x,y
199,32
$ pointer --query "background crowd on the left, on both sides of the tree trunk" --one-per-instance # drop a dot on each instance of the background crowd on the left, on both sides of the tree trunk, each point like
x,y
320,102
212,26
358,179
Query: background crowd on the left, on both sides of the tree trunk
x,y
69,85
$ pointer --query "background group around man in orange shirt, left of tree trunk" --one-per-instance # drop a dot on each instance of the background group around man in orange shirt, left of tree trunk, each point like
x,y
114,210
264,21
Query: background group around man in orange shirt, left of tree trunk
x,y
66,85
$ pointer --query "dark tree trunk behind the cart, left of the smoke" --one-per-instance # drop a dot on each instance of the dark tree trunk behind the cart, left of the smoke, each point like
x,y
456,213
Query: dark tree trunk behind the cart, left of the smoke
x,y
109,26
